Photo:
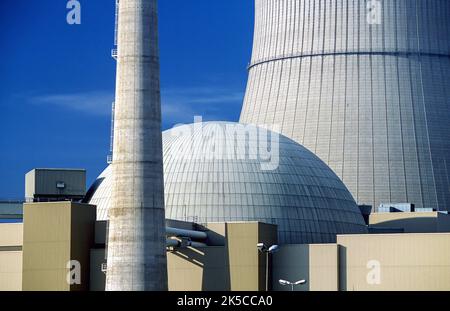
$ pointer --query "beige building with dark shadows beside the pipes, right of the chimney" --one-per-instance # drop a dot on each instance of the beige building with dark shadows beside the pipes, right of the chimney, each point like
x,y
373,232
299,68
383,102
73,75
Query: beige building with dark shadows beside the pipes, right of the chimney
x,y
236,266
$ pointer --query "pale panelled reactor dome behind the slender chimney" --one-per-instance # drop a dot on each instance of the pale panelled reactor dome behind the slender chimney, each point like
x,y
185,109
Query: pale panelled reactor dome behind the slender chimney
x,y
223,171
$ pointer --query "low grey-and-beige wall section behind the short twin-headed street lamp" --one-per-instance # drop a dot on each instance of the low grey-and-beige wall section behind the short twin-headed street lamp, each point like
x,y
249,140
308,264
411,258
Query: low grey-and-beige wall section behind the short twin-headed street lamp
x,y
315,263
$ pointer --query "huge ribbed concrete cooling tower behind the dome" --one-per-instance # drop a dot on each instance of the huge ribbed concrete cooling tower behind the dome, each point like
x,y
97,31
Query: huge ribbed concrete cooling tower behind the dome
x,y
365,86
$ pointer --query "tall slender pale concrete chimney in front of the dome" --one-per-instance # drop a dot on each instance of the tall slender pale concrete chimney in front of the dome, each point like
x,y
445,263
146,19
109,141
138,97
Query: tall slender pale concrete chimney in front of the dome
x,y
136,244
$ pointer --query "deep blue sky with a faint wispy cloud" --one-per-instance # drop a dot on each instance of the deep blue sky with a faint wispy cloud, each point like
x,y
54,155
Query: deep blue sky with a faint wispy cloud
x,y
57,80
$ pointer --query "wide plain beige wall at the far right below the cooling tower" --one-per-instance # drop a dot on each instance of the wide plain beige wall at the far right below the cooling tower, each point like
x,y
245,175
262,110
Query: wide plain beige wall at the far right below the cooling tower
x,y
392,262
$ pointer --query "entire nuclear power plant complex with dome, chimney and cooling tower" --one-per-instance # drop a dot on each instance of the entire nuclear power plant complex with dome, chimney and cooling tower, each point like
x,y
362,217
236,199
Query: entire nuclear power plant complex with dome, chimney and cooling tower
x,y
227,206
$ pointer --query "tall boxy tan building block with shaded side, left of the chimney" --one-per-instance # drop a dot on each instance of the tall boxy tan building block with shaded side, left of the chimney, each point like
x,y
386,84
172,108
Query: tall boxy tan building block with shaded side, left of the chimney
x,y
54,234
